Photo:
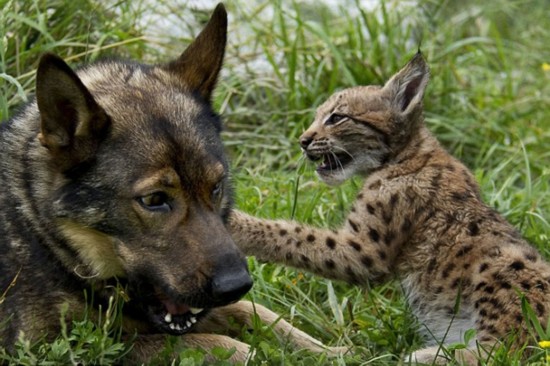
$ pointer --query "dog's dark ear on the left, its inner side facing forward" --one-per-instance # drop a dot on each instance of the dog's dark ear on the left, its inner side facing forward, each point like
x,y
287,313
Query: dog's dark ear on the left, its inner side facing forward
x,y
72,123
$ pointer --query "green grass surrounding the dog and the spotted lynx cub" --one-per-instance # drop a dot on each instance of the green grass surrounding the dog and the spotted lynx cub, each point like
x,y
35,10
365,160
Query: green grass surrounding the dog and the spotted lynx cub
x,y
488,101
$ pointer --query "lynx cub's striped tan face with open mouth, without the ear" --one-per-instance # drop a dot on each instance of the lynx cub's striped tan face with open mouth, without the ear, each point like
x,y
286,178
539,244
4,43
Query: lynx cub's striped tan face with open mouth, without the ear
x,y
348,135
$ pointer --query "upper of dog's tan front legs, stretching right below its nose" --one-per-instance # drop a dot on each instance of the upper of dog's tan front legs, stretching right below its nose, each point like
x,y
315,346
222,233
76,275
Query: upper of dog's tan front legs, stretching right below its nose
x,y
243,313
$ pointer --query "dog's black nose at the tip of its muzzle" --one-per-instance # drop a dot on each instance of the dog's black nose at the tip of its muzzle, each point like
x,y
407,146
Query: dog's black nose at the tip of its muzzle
x,y
231,284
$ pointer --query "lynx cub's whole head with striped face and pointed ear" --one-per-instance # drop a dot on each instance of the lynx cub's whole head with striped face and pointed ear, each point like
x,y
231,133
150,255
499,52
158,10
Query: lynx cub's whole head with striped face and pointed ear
x,y
359,129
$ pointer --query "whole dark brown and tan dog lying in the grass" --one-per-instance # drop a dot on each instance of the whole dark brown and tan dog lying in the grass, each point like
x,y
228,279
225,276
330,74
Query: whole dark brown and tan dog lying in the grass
x,y
115,176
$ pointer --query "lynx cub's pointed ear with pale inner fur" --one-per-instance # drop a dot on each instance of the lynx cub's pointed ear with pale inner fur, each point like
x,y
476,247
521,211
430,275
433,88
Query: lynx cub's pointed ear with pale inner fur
x,y
406,88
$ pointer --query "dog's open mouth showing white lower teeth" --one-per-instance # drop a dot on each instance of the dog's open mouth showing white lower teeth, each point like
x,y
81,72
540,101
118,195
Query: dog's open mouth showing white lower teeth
x,y
173,317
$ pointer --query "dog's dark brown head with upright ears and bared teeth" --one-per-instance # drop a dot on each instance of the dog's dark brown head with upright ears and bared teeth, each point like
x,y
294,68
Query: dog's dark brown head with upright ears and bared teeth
x,y
140,186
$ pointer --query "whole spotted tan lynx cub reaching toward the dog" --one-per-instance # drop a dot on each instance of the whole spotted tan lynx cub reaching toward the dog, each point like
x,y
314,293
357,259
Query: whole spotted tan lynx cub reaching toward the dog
x,y
418,217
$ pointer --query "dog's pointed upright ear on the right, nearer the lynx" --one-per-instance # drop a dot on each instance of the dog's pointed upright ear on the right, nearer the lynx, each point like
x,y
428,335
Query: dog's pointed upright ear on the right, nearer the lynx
x,y
198,67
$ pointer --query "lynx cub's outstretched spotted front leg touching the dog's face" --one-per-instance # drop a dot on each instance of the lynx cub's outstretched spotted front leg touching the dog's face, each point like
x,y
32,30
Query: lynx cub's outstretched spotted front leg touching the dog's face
x,y
352,254
